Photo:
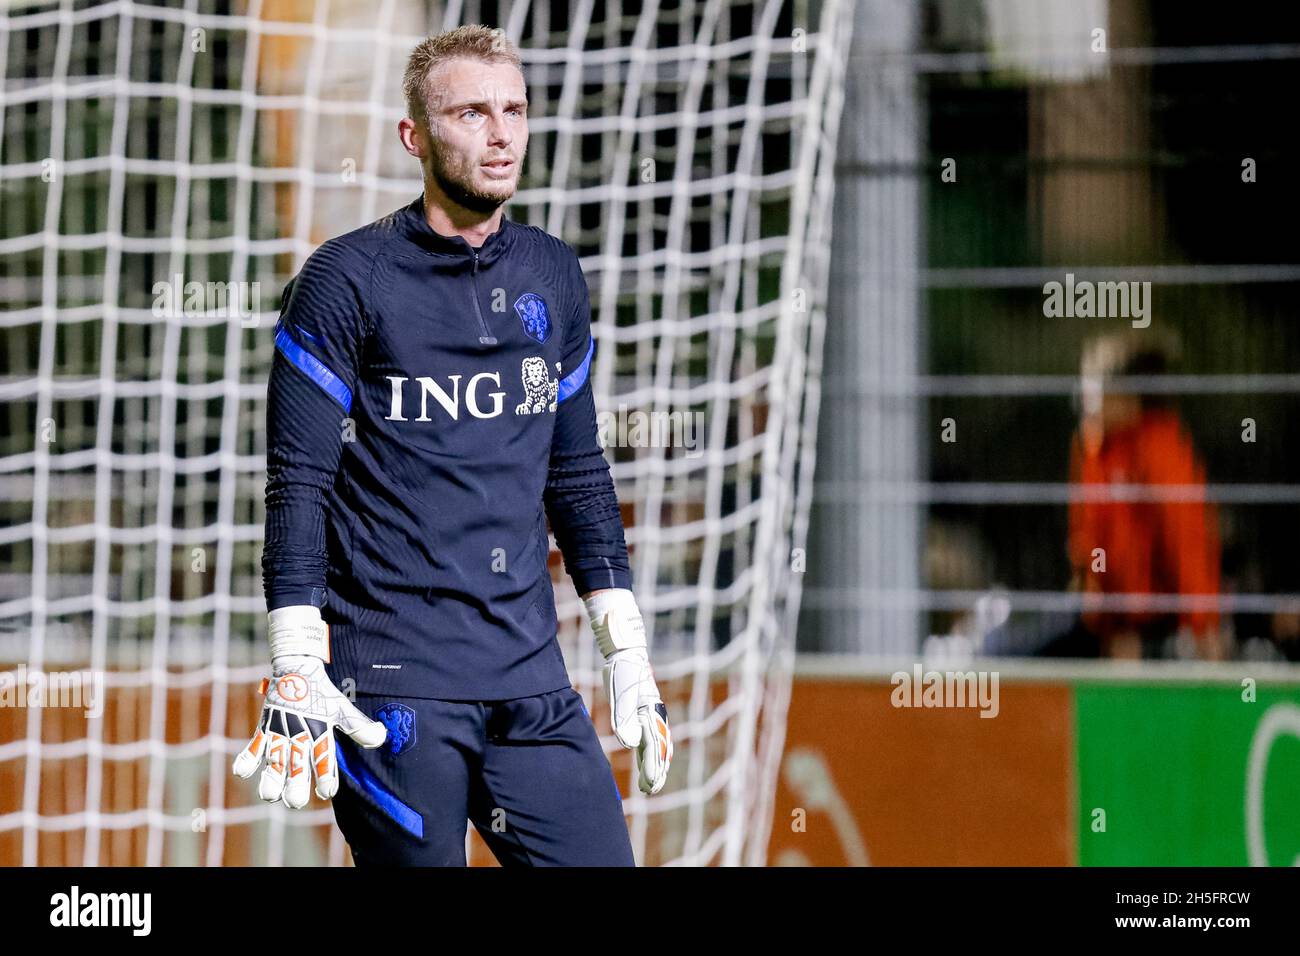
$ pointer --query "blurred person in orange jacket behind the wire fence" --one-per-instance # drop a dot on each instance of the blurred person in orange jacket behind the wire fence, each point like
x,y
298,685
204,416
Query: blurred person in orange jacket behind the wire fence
x,y
1152,540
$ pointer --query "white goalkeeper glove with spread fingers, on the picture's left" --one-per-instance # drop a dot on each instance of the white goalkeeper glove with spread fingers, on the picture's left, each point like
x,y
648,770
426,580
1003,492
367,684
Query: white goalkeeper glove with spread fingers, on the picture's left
x,y
302,707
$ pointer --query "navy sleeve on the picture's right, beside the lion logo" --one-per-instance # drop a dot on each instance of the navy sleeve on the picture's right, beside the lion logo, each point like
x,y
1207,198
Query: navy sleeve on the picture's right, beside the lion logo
x,y
580,499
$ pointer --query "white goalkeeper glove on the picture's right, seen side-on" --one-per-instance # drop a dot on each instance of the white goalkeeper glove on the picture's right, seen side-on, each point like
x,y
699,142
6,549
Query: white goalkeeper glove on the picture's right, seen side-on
x,y
638,713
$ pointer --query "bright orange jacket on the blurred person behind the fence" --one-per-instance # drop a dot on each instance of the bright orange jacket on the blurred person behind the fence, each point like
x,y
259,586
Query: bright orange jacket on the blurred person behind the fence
x,y
1151,547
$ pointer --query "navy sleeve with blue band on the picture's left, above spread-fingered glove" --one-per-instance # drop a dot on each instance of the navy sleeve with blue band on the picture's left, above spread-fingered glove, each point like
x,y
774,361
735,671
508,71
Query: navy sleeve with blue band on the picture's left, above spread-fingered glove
x,y
319,343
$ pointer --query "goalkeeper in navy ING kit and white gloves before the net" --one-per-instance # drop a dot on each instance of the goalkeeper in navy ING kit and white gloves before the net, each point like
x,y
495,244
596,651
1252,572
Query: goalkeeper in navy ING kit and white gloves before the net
x,y
430,408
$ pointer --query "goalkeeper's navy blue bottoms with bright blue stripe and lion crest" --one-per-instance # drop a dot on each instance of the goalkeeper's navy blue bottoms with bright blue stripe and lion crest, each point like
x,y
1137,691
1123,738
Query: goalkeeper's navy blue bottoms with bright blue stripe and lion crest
x,y
530,773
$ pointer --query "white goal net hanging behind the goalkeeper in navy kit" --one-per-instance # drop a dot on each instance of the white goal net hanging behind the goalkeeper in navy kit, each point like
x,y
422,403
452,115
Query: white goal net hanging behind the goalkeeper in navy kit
x,y
166,168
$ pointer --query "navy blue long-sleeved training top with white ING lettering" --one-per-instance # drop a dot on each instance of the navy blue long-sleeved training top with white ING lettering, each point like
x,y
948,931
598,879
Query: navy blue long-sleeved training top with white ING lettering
x,y
430,406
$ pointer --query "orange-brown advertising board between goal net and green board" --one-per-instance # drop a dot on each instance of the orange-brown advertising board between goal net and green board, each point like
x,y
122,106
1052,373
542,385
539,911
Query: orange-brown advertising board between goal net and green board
x,y
866,782
